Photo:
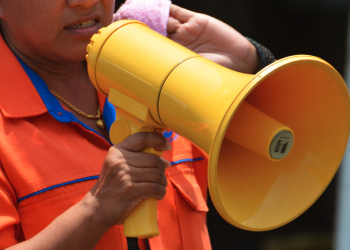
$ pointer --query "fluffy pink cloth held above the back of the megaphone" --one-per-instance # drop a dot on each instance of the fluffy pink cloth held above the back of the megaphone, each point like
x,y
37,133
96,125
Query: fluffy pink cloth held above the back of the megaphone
x,y
154,13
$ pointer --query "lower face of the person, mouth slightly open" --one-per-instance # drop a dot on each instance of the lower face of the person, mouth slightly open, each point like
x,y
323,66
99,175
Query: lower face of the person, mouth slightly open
x,y
55,30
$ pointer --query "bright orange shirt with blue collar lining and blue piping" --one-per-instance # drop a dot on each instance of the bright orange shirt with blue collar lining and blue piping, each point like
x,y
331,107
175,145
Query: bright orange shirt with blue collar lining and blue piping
x,y
49,160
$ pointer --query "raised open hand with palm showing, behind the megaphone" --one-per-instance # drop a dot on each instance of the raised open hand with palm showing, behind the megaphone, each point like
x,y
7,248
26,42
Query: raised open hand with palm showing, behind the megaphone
x,y
212,39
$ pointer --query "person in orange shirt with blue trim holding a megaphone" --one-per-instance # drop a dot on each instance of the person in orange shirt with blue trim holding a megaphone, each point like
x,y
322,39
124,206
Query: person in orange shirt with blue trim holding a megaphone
x,y
62,184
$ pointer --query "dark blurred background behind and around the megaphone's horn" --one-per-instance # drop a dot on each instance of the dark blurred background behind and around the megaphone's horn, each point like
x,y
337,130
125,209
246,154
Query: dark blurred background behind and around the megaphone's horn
x,y
290,27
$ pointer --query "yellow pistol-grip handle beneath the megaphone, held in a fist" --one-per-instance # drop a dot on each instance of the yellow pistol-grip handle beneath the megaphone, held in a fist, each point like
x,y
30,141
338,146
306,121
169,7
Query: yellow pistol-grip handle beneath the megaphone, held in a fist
x,y
142,221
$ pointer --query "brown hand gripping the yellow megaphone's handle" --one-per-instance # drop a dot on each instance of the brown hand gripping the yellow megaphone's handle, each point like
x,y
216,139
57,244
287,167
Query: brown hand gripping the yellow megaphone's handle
x,y
129,176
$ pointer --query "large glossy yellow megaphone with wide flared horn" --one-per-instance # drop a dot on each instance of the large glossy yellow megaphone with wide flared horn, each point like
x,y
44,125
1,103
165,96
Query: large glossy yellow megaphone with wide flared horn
x,y
274,139
